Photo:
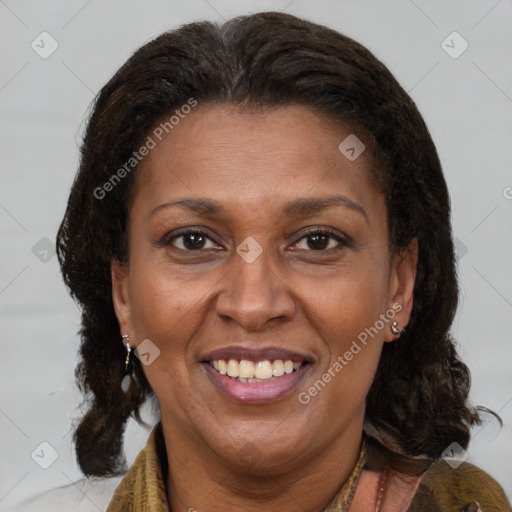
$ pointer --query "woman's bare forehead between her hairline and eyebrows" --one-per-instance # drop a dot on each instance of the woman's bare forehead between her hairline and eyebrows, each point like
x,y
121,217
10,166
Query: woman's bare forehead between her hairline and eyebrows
x,y
249,159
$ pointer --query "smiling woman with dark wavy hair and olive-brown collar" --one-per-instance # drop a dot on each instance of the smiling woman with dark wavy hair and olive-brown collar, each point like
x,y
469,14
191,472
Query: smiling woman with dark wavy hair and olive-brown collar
x,y
260,211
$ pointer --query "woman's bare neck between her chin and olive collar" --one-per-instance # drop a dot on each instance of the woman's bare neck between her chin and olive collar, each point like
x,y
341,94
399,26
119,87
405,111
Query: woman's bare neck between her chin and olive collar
x,y
198,479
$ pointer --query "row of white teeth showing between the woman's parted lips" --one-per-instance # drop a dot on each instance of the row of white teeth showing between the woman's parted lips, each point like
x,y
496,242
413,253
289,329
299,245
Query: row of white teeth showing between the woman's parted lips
x,y
255,371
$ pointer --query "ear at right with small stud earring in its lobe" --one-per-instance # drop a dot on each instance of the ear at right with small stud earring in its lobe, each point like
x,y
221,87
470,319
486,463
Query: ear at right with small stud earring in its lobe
x,y
401,285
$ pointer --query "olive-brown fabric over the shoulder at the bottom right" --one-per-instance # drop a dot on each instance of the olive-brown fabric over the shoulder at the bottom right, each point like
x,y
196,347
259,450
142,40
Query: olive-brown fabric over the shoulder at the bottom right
x,y
444,488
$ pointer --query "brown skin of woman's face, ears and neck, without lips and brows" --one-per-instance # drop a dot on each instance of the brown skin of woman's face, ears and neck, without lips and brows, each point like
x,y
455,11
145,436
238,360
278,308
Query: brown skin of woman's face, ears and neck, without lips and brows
x,y
294,295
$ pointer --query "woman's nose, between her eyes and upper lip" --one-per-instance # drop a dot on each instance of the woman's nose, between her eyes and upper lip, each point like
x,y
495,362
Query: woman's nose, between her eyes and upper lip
x,y
254,294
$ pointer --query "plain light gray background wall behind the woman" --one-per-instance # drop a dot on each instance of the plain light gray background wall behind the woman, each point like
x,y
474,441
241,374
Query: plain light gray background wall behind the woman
x,y
467,103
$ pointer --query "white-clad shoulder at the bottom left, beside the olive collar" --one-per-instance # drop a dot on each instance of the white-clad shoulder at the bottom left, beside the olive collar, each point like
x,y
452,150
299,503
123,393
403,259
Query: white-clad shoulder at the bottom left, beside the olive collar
x,y
85,495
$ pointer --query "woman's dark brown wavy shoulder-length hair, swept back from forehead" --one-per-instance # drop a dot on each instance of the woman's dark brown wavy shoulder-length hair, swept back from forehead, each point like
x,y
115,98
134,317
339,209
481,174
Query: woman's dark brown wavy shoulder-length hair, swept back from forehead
x,y
420,393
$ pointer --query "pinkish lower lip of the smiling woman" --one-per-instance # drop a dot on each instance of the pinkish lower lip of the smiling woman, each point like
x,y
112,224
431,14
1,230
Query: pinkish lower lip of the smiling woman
x,y
256,392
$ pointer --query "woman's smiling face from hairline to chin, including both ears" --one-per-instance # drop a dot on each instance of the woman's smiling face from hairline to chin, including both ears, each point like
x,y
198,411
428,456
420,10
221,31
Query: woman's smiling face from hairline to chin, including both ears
x,y
259,289
